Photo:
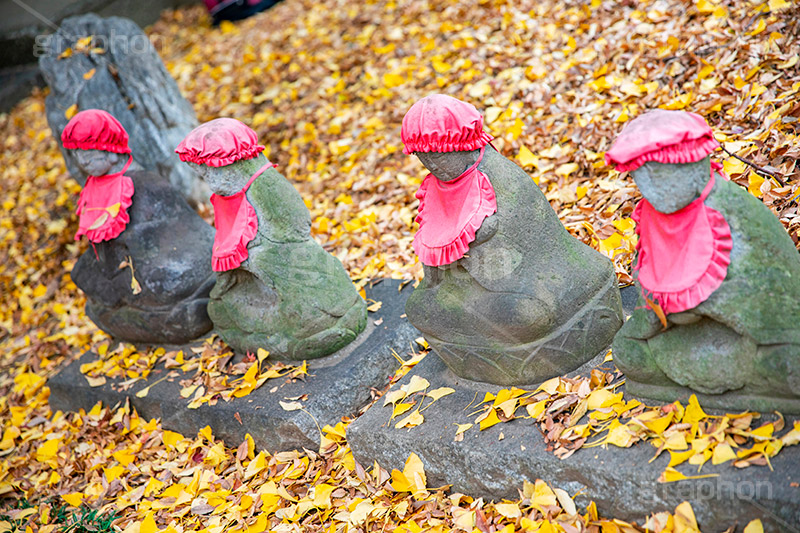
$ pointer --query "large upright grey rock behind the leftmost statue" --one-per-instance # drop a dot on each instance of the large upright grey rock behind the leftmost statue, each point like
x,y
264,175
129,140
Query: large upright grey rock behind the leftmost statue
x,y
130,82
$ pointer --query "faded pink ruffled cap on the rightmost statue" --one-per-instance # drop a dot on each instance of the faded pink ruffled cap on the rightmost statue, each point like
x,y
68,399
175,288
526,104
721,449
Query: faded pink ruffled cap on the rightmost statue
x,y
662,136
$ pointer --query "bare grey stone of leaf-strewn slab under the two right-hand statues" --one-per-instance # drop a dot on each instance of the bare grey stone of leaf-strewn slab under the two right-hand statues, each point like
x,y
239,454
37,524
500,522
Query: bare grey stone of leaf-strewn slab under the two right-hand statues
x,y
494,463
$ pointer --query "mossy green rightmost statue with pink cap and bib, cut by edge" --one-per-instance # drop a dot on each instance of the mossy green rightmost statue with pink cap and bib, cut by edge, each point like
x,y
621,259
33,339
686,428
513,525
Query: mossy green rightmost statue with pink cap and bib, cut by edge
x,y
717,266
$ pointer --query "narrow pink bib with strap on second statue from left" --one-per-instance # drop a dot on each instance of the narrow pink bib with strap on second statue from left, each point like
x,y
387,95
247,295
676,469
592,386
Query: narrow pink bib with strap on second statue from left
x,y
236,223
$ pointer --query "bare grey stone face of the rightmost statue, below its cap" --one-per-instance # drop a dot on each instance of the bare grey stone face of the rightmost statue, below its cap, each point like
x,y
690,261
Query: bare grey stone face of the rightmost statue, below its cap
x,y
671,187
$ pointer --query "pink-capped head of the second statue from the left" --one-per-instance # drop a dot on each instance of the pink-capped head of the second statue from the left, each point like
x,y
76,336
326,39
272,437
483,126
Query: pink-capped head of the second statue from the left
x,y
224,152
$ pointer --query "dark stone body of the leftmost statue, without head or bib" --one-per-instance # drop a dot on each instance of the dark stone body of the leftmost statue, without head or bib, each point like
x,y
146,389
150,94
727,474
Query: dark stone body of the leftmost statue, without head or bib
x,y
170,248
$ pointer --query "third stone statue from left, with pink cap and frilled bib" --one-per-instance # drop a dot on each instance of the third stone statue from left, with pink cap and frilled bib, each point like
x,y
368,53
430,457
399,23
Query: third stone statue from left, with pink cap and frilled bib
x,y
508,297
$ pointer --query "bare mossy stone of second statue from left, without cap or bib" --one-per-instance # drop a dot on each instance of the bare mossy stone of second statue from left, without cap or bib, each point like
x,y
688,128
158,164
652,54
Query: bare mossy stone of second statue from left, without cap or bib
x,y
289,296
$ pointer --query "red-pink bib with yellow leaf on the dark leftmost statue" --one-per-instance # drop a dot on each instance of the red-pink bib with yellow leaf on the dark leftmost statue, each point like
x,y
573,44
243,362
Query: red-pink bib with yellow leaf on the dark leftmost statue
x,y
103,206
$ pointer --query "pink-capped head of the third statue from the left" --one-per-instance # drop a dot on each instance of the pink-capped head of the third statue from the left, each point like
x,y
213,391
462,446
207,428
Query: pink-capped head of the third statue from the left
x,y
445,133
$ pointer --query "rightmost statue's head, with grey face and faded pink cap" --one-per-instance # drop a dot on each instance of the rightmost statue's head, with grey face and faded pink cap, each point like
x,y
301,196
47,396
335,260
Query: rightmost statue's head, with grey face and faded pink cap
x,y
667,153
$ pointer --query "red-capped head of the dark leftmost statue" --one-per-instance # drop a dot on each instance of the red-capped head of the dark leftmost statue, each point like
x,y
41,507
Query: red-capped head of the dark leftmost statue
x,y
98,141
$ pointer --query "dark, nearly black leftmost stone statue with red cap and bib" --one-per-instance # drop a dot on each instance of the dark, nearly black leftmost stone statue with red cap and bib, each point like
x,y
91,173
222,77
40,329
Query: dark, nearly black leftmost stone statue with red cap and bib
x,y
147,275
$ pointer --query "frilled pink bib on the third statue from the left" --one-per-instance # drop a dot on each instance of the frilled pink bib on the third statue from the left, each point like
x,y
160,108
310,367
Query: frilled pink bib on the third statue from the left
x,y
450,212
